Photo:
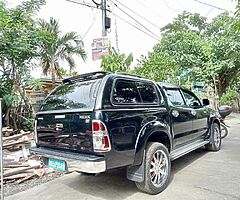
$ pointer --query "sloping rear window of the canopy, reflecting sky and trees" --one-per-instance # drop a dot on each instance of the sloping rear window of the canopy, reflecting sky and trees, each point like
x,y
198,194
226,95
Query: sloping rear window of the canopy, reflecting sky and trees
x,y
72,96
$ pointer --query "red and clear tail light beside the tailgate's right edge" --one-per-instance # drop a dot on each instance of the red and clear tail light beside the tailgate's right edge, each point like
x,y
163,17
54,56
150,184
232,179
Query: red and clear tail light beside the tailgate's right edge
x,y
101,141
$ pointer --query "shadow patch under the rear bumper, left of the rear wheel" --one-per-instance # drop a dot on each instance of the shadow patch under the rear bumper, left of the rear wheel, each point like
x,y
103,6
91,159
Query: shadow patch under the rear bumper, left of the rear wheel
x,y
112,185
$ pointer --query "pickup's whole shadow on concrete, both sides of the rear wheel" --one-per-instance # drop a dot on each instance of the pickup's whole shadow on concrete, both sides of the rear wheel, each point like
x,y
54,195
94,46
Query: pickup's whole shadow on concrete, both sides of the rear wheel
x,y
114,184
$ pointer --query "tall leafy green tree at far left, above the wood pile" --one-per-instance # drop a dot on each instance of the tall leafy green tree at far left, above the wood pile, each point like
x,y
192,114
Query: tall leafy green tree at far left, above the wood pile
x,y
19,38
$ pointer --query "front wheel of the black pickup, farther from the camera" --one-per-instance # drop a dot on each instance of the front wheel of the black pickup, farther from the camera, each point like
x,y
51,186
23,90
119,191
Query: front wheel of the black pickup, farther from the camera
x,y
215,141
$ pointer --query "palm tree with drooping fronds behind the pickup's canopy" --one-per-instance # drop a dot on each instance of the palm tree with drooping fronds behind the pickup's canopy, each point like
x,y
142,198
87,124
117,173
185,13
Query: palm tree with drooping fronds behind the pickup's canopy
x,y
55,47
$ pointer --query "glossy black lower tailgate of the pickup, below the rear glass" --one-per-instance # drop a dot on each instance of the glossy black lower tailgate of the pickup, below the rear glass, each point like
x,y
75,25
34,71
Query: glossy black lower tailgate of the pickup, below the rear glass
x,y
70,131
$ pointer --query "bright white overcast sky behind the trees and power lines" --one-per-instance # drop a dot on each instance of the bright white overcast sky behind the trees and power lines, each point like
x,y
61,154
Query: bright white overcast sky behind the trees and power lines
x,y
152,14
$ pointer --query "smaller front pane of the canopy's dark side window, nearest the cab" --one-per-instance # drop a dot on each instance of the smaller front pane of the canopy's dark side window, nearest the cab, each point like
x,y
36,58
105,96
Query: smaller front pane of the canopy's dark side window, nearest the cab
x,y
147,92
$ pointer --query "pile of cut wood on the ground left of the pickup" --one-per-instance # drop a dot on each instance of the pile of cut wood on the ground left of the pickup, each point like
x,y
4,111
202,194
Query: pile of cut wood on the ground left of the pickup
x,y
18,164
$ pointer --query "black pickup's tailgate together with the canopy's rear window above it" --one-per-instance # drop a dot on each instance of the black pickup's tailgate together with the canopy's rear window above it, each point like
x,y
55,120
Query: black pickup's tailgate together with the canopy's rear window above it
x,y
64,119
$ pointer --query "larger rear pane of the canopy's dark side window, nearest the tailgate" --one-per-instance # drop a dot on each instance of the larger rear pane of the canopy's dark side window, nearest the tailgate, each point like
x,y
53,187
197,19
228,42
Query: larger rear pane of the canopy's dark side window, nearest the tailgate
x,y
126,92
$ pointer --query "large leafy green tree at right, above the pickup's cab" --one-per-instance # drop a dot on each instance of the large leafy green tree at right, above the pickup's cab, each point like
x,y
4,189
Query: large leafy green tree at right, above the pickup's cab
x,y
208,52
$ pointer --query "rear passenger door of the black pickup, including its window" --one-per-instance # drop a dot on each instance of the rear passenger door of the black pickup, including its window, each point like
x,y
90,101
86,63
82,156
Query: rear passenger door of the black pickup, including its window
x,y
181,116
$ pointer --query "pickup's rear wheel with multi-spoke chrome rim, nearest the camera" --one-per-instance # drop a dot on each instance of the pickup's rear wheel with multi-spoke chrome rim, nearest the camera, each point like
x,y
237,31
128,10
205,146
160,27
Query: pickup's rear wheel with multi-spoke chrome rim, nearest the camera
x,y
155,153
